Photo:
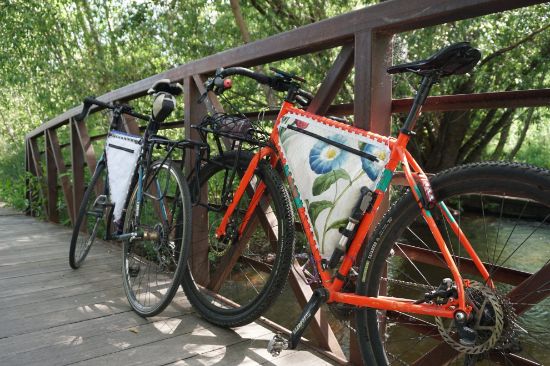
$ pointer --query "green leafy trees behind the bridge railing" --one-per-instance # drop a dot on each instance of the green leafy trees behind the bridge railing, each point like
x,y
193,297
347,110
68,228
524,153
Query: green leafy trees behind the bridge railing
x,y
54,53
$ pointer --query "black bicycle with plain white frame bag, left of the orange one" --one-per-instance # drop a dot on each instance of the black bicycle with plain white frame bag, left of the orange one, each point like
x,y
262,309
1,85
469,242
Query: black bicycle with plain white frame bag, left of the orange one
x,y
138,195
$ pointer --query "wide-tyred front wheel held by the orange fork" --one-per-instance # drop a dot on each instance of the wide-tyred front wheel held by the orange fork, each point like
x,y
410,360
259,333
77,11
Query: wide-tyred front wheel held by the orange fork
x,y
232,282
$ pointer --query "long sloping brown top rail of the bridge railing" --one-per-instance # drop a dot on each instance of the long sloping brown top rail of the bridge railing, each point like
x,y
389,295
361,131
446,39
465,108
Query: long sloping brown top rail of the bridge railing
x,y
391,17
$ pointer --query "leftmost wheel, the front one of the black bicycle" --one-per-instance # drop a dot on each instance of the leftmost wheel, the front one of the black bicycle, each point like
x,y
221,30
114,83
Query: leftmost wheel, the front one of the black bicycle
x,y
79,249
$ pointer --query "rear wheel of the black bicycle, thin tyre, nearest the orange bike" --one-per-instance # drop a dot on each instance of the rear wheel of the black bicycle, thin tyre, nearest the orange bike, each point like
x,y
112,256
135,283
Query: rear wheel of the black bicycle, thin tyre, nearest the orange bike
x,y
152,269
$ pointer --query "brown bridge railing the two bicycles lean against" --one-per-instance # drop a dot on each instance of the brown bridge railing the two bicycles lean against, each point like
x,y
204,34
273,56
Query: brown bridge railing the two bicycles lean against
x,y
365,36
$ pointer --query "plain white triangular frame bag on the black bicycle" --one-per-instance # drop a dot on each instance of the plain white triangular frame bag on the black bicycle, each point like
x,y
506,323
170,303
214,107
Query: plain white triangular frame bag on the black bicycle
x,y
122,155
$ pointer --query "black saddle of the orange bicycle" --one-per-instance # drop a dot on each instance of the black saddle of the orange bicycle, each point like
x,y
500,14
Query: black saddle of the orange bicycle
x,y
458,58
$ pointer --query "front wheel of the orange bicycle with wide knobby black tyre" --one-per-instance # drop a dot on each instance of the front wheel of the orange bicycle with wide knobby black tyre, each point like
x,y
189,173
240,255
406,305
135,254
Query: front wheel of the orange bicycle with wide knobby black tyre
x,y
249,300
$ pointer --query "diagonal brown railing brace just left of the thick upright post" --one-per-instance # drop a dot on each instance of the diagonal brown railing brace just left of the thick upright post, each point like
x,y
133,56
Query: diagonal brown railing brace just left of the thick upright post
x,y
334,80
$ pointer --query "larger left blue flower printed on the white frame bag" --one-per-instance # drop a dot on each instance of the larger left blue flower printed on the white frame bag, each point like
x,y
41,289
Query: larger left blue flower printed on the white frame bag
x,y
324,157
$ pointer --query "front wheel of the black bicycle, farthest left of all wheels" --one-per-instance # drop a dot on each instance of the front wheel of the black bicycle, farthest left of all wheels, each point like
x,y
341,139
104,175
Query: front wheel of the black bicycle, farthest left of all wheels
x,y
92,218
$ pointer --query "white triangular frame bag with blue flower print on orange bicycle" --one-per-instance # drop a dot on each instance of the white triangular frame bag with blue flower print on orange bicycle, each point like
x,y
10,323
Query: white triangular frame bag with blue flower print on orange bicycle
x,y
329,162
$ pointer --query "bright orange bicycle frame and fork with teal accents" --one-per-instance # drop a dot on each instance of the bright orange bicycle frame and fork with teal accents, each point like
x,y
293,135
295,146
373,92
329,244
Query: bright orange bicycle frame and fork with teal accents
x,y
334,283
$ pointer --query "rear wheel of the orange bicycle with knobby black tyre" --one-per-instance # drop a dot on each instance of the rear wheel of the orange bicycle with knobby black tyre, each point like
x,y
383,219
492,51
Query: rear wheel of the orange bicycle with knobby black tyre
x,y
478,195
